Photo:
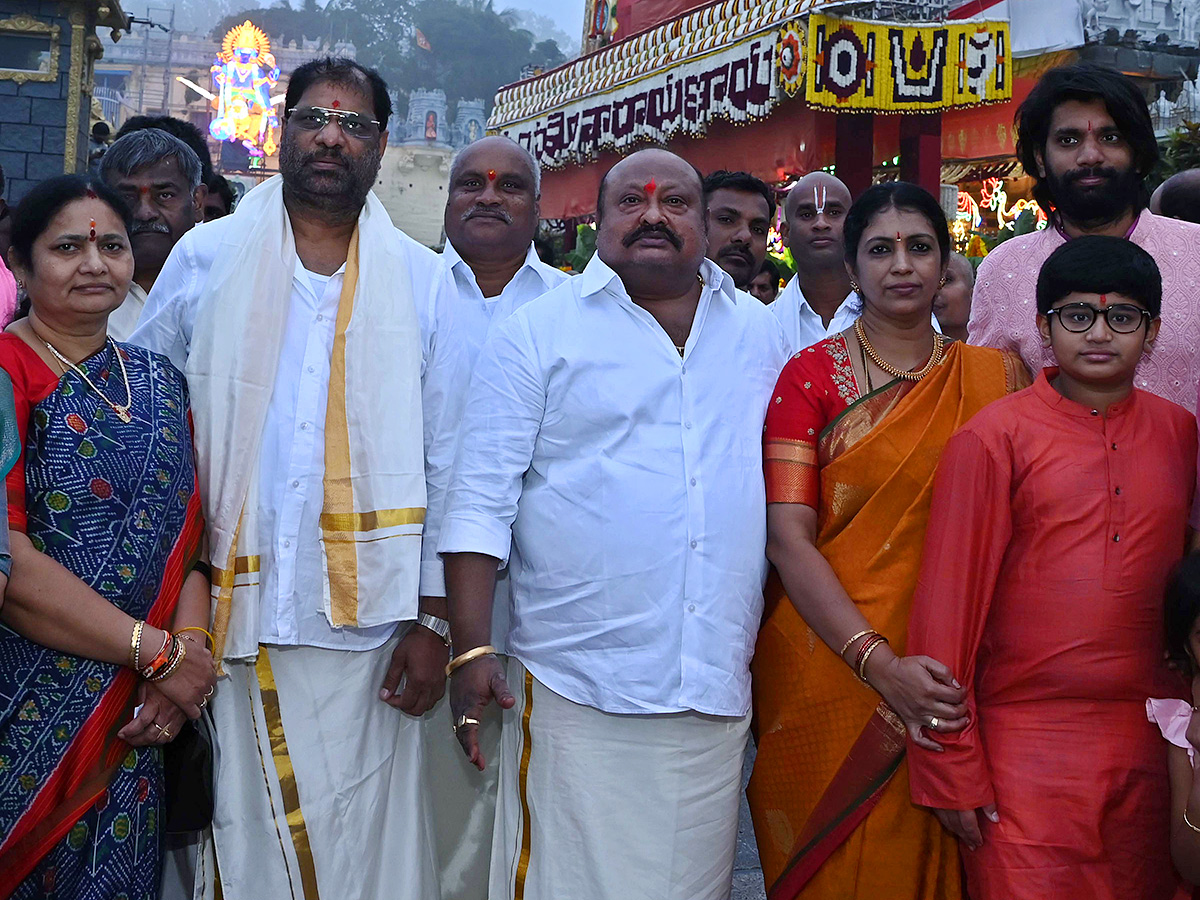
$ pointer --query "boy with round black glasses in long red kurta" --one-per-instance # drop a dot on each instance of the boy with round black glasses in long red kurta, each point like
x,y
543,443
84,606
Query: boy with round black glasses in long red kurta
x,y
1058,515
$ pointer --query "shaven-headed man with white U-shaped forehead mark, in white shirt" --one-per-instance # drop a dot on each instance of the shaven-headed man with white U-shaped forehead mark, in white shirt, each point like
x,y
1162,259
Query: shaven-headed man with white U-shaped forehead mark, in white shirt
x,y
818,303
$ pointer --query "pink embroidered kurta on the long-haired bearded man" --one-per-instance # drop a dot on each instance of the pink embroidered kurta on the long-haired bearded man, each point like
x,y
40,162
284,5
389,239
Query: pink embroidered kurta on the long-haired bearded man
x,y
1004,309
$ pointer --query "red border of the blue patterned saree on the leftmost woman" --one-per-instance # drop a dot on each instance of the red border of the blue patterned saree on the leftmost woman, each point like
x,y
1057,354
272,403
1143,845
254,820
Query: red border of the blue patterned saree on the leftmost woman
x,y
87,769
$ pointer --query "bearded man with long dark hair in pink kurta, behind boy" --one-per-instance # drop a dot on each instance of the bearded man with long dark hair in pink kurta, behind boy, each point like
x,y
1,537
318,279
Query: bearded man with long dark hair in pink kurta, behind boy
x,y
1085,137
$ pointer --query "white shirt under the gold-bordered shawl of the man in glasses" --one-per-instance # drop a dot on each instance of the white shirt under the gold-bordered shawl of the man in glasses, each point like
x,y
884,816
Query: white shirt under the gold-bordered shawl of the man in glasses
x,y
292,460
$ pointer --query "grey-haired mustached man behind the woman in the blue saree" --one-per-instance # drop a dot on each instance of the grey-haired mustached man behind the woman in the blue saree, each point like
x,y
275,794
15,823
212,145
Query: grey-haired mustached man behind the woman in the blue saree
x,y
159,177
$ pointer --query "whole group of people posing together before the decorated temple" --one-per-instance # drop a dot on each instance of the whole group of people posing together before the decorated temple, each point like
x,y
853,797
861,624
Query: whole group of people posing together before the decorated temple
x,y
335,566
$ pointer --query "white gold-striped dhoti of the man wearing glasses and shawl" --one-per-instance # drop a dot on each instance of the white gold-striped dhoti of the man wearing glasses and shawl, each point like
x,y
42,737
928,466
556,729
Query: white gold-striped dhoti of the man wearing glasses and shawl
x,y
320,788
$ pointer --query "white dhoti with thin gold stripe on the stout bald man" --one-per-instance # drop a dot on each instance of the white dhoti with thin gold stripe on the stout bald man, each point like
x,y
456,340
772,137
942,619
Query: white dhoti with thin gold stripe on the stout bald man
x,y
602,807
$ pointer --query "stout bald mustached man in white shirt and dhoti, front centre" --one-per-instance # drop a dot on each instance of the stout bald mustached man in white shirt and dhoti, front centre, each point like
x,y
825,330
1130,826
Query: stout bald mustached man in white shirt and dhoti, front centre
x,y
613,439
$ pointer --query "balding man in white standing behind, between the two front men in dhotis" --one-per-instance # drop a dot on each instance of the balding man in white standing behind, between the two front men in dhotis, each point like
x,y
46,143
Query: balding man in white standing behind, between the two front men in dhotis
x,y
491,271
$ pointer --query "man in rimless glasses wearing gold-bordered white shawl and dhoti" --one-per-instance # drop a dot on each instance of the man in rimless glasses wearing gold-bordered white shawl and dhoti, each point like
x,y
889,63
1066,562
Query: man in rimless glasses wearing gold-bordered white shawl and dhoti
x,y
296,323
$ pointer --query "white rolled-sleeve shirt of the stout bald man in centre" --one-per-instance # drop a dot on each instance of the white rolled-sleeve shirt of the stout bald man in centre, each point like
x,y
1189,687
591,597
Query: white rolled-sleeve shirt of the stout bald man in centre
x,y
628,483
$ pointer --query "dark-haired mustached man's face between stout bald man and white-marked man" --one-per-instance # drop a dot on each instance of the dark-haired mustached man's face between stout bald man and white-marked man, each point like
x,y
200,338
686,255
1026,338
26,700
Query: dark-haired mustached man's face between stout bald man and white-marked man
x,y
741,209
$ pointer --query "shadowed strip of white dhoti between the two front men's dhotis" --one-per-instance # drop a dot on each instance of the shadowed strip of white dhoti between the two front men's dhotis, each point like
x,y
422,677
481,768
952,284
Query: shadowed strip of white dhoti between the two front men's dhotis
x,y
464,801
